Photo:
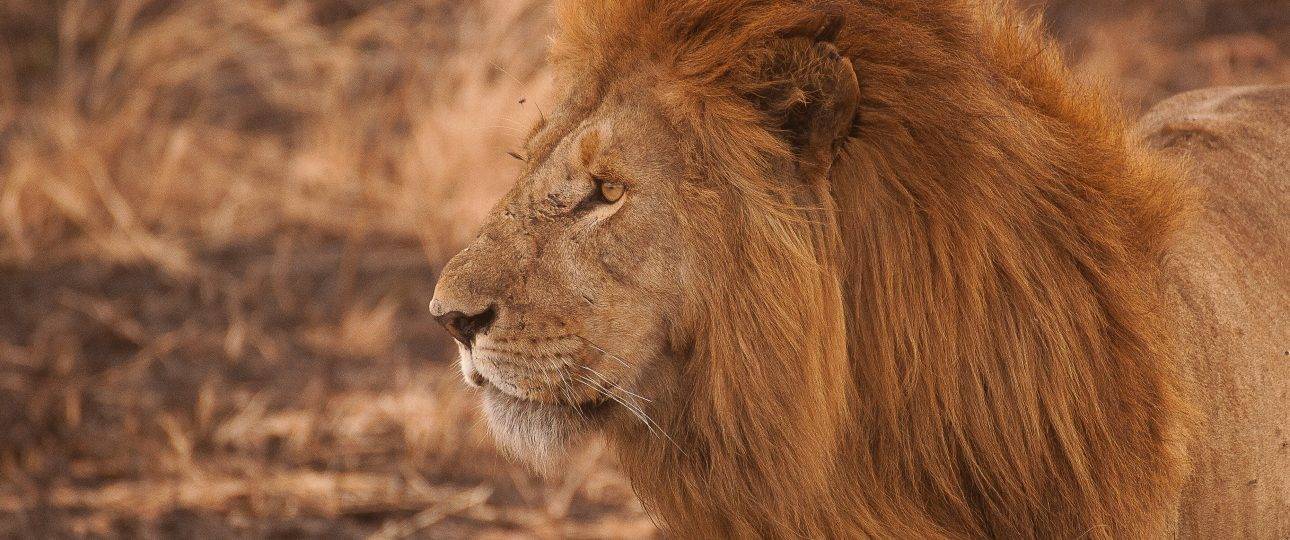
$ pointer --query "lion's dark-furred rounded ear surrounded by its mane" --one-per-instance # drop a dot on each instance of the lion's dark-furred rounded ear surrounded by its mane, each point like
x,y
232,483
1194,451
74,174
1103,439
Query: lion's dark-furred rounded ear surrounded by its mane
x,y
808,90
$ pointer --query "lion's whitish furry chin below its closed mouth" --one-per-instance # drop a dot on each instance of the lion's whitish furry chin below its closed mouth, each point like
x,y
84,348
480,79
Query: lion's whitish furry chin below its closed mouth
x,y
541,435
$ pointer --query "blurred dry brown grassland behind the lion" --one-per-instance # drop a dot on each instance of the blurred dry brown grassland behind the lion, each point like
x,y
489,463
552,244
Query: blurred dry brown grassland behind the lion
x,y
221,222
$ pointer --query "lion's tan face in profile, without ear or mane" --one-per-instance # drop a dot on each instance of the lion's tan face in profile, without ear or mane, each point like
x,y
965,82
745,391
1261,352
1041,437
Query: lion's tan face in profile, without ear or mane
x,y
566,305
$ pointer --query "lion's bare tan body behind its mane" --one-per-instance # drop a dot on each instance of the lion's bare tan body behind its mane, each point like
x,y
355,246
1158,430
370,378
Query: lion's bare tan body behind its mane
x,y
1233,293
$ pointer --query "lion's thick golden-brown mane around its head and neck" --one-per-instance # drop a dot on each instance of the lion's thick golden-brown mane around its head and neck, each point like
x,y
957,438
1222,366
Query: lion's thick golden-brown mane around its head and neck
x,y
958,332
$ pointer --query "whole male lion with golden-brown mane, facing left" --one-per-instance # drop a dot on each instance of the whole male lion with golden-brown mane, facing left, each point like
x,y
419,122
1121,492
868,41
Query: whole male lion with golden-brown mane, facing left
x,y
880,269
